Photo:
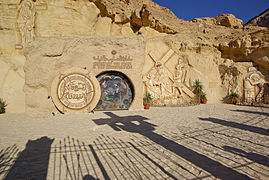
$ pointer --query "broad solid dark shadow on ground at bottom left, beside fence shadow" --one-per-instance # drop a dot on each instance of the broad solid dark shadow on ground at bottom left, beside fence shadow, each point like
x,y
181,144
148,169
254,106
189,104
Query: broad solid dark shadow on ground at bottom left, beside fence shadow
x,y
32,162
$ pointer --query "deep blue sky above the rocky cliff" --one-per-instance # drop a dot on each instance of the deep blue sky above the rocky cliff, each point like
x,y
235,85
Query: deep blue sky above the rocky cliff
x,y
190,9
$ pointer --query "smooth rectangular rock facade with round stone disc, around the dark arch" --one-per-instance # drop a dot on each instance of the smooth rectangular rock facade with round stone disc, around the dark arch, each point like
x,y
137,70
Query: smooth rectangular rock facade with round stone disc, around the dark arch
x,y
61,72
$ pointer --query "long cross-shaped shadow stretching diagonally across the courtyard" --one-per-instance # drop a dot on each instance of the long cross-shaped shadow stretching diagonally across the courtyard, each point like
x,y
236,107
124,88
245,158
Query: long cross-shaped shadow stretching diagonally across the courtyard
x,y
138,124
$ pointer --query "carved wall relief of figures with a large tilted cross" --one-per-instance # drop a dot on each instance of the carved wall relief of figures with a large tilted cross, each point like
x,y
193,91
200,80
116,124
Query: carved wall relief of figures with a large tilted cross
x,y
165,81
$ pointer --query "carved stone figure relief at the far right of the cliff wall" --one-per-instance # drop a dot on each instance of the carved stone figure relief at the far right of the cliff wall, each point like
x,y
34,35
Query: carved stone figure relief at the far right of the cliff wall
x,y
254,79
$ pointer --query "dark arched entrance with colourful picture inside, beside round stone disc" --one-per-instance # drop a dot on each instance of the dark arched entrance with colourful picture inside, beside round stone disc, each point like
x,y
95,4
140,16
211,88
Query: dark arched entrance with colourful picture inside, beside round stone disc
x,y
116,91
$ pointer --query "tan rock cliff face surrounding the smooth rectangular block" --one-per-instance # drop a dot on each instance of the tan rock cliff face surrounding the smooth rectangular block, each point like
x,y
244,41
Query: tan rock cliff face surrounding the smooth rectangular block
x,y
217,50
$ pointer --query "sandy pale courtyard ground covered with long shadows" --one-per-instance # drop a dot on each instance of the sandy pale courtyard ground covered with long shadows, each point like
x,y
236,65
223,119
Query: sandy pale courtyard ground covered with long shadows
x,y
199,142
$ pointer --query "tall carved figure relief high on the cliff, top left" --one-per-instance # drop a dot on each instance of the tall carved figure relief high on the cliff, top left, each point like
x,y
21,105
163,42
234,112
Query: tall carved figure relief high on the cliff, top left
x,y
26,21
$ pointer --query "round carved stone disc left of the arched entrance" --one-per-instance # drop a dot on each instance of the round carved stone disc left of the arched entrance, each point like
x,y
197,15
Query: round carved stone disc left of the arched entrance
x,y
75,91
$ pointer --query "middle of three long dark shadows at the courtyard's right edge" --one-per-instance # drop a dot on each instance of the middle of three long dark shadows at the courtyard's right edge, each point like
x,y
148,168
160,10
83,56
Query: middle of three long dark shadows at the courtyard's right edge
x,y
245,127
